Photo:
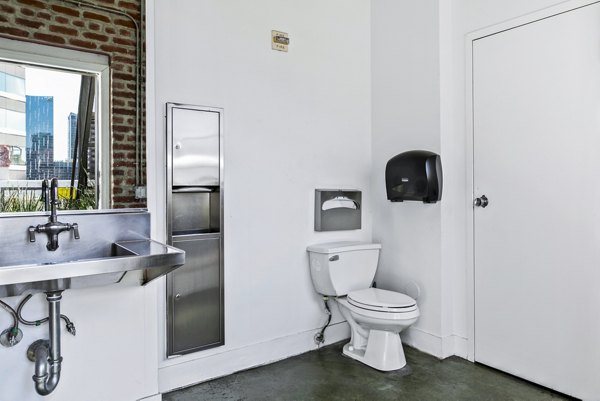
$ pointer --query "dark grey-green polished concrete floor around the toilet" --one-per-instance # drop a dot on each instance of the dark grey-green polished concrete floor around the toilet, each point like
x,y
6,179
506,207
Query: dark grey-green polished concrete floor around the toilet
x,y
326,374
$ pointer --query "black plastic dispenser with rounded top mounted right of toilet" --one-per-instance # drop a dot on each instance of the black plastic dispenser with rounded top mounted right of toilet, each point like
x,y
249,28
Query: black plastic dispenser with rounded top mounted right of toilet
x,y
414,175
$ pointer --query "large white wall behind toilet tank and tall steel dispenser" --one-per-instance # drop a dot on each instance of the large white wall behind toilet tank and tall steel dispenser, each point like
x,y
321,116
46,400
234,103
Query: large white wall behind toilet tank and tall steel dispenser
x,y
293,122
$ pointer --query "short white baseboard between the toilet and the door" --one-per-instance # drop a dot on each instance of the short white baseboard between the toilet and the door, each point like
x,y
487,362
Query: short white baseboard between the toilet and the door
x,y
440,347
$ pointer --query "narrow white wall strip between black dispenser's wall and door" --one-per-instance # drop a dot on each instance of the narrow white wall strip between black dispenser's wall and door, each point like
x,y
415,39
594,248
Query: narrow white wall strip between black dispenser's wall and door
x,y
457,20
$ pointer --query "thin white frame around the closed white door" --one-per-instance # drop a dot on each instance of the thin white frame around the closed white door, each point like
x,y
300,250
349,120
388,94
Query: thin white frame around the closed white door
x,y
470,140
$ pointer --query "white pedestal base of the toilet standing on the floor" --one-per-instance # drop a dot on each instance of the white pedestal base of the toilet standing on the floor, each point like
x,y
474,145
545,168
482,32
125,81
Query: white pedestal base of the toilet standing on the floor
x,y
383,351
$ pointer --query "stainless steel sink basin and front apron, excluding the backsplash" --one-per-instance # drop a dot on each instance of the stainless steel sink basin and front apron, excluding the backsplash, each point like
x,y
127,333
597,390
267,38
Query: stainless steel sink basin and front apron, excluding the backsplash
x,y
104,267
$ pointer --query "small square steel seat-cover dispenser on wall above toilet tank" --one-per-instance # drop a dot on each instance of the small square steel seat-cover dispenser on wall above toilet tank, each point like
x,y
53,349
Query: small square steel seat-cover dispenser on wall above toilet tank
x,y
337,209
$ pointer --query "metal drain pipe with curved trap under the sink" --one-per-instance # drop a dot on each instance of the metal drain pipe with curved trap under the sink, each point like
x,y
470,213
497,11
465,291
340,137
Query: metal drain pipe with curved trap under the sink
x,y
46,353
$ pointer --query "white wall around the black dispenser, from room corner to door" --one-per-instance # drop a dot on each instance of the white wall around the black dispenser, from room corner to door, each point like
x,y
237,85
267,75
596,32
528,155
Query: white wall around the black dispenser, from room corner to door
x,y
418,92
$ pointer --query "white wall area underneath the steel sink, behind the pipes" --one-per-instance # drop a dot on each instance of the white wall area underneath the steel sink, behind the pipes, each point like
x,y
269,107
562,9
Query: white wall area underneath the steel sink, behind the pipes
x,y
110,358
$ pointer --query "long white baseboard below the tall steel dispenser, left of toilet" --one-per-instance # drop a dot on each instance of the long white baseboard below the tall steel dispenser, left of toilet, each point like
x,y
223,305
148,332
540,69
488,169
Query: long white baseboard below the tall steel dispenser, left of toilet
x,y
217,365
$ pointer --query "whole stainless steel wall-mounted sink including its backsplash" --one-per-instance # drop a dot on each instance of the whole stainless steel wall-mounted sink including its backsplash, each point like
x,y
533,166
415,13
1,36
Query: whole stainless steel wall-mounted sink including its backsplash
x,y
93,261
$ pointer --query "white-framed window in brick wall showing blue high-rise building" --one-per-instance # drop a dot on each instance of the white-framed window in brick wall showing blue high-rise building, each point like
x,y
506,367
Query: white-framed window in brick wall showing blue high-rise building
x,y
53,123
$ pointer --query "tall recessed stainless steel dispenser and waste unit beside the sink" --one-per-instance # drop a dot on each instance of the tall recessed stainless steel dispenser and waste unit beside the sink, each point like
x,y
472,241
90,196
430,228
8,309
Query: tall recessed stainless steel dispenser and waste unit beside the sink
x,y
195,223
